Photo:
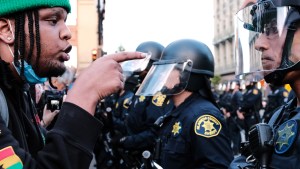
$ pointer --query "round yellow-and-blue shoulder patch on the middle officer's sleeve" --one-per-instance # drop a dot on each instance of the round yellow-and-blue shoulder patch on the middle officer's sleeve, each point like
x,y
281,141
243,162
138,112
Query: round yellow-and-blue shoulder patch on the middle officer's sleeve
x,y
207,126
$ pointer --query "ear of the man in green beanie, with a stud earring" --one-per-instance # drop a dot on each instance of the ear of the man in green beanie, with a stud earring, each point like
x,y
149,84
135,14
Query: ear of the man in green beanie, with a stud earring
x,y
5,32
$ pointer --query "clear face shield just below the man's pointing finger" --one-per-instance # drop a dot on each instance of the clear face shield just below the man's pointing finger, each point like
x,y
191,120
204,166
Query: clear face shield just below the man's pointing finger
x,y
134,66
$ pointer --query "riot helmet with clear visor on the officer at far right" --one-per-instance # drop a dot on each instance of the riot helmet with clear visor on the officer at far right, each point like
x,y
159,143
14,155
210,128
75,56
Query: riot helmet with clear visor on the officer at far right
x,y
266,40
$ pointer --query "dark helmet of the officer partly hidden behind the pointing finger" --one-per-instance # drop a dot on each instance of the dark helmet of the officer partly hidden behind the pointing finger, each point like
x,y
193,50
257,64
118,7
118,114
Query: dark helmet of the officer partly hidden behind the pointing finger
x,y
154,48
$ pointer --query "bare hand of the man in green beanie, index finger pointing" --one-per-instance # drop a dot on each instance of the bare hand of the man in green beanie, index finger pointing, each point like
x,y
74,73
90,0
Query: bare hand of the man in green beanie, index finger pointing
x,y
102,78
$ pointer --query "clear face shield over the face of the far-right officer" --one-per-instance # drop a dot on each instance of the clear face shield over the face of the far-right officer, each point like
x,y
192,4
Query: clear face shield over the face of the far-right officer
x,y
261,31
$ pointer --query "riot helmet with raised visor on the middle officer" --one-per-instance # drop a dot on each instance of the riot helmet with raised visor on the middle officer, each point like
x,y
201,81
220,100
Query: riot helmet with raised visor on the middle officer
x,y
182,66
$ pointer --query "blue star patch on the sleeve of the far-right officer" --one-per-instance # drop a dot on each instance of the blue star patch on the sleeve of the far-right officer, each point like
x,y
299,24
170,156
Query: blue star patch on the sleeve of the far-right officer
x,y
285,136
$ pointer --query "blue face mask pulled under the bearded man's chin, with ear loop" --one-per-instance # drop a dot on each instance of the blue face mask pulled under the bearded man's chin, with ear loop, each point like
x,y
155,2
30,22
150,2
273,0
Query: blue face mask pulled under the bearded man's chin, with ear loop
x,y
29,73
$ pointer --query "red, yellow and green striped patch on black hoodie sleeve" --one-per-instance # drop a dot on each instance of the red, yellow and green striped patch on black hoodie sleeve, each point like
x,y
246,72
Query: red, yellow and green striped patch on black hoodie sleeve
x,y
9,160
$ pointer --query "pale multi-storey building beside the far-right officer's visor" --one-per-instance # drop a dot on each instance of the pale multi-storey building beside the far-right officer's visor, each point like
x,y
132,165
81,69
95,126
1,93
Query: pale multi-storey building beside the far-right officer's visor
x,y
224,11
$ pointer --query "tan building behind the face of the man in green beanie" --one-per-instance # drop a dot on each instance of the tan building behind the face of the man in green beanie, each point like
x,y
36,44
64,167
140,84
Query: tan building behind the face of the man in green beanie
x,y
85,37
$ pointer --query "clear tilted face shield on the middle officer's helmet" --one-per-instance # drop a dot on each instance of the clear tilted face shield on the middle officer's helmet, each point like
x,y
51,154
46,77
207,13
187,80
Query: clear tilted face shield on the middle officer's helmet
x,y
168,77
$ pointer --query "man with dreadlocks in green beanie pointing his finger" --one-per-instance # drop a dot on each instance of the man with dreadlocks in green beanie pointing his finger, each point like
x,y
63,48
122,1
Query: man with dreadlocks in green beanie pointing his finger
x,y
34,45
